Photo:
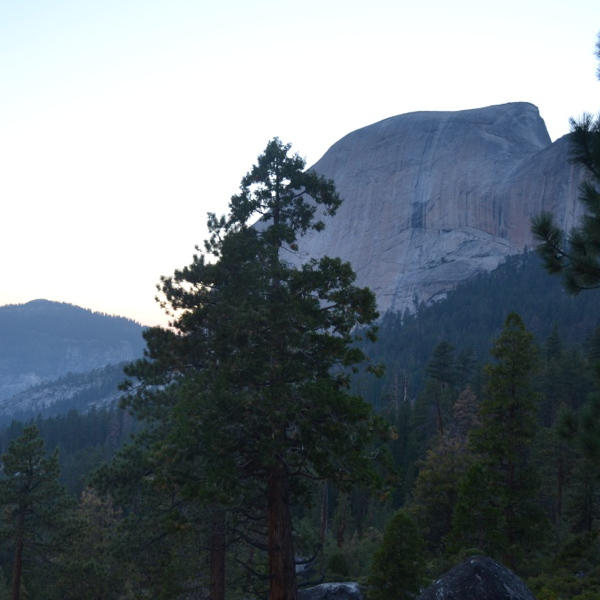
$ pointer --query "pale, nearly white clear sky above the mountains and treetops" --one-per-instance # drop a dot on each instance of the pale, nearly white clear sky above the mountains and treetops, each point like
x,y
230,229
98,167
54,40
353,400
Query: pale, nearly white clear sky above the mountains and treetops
x,y
123,122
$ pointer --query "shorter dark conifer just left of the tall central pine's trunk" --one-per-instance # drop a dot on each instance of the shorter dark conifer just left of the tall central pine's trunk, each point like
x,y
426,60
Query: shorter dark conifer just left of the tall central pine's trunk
x,y
164,537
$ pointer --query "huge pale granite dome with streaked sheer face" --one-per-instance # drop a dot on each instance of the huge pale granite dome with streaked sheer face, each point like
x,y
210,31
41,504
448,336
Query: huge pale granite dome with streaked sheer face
x,y
433,198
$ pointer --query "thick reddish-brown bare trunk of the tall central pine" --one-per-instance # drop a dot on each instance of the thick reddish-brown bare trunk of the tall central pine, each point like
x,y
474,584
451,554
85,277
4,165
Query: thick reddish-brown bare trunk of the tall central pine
x,y
282,563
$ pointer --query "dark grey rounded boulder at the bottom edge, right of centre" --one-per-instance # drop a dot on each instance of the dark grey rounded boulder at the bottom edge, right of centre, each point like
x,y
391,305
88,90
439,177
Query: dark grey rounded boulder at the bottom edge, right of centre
x,y
478,578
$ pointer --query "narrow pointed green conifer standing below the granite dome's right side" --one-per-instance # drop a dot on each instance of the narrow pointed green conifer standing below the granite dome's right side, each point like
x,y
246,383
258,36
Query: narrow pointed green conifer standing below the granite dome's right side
x,y
501,487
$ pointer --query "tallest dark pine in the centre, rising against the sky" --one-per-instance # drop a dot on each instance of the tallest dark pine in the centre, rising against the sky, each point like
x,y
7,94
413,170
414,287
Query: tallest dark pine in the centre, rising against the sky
x,y
250,384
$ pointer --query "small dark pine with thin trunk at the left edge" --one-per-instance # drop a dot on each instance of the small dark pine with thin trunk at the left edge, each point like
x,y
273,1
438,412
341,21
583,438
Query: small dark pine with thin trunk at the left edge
x,y
34,503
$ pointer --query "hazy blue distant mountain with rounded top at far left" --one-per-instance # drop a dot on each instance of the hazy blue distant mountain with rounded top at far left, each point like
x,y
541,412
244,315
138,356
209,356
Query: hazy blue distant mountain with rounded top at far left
x,y
42,341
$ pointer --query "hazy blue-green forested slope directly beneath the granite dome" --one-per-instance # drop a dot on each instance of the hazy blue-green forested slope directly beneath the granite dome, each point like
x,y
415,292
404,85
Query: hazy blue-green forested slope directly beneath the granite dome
x,y
470,318
